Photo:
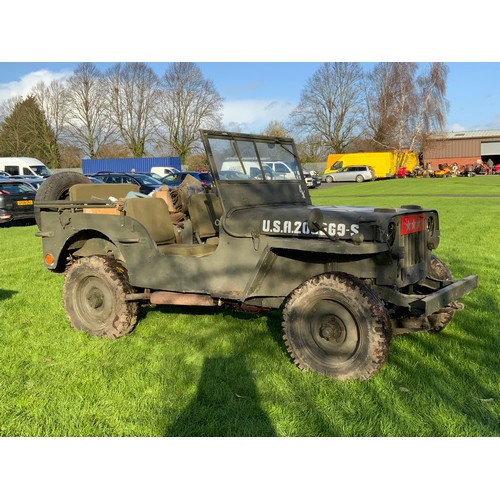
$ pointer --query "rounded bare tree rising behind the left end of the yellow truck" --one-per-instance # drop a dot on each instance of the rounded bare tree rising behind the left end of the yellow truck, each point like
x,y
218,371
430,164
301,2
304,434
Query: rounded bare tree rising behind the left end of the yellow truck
x,y
330,104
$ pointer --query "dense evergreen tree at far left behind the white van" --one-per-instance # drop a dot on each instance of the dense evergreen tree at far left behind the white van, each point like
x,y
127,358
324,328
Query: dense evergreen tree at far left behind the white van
x,y
26,132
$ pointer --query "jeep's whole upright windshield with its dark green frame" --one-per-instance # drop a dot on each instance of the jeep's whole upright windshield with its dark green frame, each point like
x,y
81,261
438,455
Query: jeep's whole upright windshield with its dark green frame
x,y
254,170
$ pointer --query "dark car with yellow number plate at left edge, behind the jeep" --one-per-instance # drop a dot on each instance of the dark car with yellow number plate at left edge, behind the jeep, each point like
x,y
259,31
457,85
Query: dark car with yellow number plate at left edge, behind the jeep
x,y
16,200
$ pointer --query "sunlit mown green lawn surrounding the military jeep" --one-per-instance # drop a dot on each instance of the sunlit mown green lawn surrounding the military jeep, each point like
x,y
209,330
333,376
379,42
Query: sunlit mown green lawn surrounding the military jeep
x,y
209,372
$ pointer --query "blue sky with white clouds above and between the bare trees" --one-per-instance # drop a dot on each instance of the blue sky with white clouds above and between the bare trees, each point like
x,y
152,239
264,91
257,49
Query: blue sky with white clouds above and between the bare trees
x,y
255,93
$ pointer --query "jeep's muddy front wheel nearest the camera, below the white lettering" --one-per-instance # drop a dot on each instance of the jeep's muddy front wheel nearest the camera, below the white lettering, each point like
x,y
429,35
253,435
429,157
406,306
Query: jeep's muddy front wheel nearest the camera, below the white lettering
x,y
336,325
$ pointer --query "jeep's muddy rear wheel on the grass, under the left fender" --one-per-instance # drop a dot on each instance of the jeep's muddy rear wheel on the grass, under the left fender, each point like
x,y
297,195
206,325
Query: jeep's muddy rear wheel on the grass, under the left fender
x,y
95,290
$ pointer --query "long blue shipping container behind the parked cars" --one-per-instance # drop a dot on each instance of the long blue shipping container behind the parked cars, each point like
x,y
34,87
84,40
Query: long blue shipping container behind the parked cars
x,y
127,164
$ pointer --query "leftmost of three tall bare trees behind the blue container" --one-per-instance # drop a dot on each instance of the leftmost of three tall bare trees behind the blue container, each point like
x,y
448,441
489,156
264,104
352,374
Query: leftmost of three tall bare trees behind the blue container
x,y
89,120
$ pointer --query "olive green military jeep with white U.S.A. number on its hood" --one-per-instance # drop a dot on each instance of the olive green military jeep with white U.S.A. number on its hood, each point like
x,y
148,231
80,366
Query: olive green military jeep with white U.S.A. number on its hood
x,y
346,278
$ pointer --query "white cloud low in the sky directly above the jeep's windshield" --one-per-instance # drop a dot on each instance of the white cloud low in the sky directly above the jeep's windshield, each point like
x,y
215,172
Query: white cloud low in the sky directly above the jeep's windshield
x,y
254,115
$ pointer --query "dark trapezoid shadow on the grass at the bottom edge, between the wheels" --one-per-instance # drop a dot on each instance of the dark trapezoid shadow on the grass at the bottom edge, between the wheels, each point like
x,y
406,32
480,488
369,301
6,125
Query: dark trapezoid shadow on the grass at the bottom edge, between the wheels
x,y
226,403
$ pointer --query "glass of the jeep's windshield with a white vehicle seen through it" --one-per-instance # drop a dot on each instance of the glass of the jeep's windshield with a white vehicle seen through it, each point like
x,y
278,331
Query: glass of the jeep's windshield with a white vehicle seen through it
x,y
256,161
